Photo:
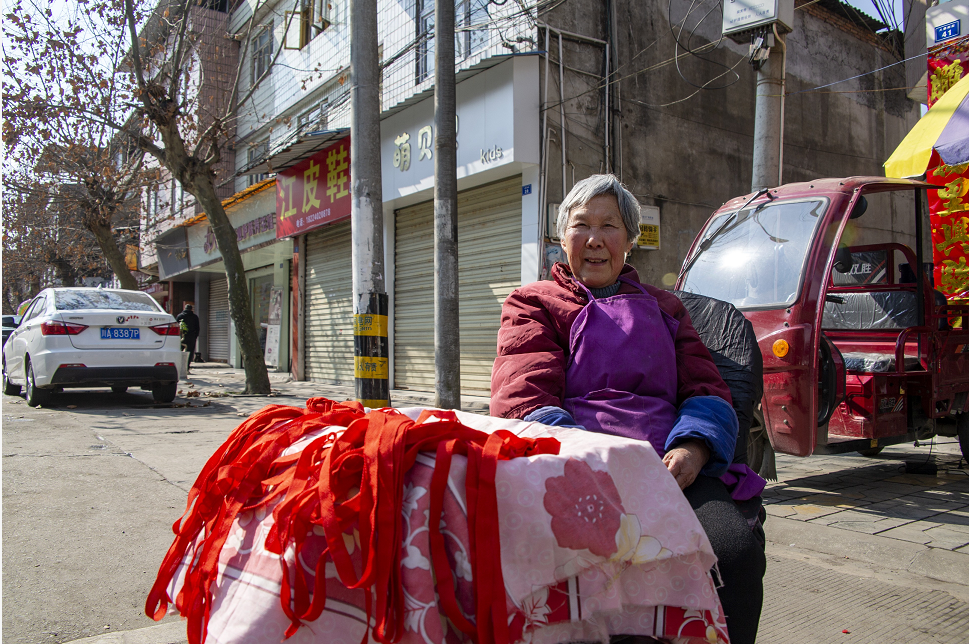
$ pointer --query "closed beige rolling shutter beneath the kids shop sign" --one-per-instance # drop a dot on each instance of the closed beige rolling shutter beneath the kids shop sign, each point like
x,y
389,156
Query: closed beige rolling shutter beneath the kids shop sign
x,y
489,268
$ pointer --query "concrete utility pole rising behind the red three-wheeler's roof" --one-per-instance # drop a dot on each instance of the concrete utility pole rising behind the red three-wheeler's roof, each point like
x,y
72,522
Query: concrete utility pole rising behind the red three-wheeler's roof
x,y
769,113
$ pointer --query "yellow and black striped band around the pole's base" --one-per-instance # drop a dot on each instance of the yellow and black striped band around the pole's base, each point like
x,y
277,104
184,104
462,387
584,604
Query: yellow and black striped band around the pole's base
x,y
371,353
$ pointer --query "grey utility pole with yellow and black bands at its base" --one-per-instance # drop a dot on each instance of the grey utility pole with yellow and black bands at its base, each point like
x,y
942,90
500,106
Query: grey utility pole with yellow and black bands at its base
x,y
371,350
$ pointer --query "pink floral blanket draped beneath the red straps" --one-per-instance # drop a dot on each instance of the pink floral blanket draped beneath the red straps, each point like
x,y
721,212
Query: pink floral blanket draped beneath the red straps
x,y
595,541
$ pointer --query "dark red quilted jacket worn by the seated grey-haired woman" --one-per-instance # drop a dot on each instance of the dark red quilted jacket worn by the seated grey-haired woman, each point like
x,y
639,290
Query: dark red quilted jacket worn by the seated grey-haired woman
x,y
533,345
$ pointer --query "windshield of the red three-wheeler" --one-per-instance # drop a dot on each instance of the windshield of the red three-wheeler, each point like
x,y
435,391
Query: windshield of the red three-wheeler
x,y
754,258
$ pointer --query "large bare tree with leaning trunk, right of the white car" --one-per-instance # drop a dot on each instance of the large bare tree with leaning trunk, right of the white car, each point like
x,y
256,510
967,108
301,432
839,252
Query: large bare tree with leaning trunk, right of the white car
x,y
156,76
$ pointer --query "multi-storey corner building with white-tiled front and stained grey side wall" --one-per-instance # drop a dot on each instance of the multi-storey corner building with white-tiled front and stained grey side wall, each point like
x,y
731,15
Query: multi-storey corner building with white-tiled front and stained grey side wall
x,y
548,93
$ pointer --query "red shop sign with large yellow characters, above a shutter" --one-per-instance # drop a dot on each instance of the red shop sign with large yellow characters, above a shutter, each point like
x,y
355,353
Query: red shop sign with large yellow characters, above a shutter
x,y
314,192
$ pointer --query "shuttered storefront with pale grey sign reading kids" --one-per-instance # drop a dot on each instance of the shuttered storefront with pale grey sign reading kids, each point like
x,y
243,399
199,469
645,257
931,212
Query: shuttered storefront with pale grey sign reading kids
x,y
498,220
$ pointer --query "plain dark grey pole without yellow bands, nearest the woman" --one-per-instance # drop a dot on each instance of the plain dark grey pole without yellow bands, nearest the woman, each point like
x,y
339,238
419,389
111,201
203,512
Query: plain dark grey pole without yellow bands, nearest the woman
x,y
447,340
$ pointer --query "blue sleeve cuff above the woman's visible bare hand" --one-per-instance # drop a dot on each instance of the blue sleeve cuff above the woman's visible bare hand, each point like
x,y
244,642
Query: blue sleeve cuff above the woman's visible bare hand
x,y
712,420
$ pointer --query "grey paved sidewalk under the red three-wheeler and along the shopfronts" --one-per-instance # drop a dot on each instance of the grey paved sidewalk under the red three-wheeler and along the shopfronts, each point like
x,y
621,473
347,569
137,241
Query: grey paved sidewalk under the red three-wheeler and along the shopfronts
x,y
859,550
